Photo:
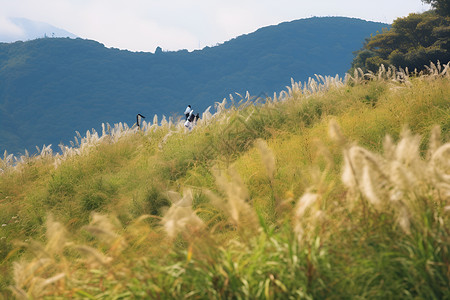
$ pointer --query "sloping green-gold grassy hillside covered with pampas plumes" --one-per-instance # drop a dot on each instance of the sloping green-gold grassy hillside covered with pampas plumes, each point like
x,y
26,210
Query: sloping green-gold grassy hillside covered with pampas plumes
x,y
337,189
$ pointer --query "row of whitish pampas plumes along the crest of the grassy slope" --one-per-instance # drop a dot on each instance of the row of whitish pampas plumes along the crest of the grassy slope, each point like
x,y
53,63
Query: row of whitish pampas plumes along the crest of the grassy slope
x,y
314,86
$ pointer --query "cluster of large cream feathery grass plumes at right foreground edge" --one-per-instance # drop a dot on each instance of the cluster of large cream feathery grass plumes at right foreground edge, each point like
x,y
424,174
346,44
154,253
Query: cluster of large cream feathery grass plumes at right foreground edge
x,y
400,178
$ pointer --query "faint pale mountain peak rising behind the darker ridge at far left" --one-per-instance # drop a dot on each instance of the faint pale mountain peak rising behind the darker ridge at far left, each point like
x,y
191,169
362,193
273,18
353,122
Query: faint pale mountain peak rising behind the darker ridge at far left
x,y
24,30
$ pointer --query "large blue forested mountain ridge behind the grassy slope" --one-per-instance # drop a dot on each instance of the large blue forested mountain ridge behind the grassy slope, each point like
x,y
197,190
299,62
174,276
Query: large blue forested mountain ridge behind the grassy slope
x,y
51,87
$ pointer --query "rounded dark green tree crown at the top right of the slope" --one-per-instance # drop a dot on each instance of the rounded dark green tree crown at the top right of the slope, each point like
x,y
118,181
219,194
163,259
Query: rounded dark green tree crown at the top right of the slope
x,y
412,42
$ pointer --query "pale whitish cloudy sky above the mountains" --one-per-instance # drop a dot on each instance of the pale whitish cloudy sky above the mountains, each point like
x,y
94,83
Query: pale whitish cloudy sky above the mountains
x,y
143,25
